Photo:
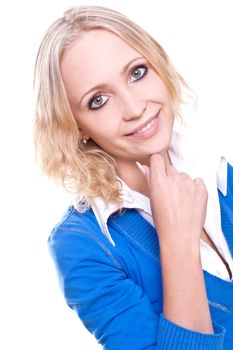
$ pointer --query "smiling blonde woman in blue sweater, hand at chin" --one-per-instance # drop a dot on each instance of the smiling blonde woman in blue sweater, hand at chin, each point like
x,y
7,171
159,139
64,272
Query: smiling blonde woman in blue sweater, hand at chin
x,y
131,250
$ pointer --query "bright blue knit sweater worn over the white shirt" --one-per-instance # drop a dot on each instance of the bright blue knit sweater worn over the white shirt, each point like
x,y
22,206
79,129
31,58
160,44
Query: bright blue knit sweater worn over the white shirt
x,y
117,291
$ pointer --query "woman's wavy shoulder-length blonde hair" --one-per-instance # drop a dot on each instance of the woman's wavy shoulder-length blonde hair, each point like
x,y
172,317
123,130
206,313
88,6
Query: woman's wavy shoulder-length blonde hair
x,y
86,170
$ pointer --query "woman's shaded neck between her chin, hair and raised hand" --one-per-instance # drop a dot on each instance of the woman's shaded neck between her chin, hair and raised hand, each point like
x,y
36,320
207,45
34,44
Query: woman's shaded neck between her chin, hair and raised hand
x,y
129,172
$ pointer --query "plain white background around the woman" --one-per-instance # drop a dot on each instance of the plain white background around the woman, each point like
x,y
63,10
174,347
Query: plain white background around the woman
x,y
198,37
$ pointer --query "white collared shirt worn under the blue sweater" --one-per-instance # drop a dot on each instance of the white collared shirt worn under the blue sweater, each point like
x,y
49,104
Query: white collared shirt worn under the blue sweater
x,y
213,170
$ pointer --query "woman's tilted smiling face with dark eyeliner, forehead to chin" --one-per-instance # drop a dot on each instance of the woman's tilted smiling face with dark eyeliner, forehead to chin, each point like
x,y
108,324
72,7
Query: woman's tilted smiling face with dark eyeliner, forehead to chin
x,y
118,100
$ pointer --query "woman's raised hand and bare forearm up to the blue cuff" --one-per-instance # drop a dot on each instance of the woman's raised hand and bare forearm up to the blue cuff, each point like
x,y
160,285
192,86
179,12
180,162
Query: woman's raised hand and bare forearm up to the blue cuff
x,y
179,209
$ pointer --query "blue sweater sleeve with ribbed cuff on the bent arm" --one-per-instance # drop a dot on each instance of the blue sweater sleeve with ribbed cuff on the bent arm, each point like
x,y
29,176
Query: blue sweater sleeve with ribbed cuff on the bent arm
x,y
111,306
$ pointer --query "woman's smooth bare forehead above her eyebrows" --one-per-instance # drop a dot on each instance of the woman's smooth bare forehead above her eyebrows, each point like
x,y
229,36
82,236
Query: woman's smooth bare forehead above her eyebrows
x,y
94,57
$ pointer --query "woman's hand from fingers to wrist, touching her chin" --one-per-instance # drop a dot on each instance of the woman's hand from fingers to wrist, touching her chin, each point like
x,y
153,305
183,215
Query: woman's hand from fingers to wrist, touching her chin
x,y
178,204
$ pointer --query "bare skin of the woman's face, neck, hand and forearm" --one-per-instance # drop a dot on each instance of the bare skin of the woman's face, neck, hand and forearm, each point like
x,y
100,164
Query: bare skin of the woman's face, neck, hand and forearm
x,y
129,98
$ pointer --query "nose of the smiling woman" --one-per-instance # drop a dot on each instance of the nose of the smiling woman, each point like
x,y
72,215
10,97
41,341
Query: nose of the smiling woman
x,y
133,105
